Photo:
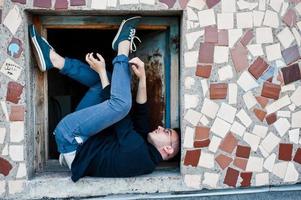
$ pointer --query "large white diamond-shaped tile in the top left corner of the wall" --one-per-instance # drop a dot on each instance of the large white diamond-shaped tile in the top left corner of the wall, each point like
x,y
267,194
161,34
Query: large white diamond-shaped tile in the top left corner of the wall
x,y
13,20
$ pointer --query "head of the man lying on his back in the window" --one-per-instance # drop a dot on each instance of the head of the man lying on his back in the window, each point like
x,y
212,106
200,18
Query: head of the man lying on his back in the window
x,y
167,141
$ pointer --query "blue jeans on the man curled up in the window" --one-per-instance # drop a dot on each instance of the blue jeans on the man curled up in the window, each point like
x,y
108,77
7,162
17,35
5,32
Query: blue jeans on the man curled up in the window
x,y
93,113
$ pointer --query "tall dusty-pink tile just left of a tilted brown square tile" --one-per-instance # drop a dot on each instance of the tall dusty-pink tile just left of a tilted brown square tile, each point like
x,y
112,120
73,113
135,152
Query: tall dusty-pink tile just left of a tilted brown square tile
x,y
239,56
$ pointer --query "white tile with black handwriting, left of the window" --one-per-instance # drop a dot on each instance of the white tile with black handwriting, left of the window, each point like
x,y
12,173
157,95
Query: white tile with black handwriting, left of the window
x,y
11,69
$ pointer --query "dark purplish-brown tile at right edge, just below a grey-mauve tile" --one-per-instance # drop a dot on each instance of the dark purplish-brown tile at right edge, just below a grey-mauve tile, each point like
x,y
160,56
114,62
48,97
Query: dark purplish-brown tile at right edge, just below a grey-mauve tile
x,y
291,73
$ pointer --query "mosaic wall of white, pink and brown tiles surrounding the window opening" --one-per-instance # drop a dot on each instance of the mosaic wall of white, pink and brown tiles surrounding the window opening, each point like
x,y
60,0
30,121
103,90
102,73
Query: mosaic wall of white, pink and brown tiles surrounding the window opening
x,y
241,92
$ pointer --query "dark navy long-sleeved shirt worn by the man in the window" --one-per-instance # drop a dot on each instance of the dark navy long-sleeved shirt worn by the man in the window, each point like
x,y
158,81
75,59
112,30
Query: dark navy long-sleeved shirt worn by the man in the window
x,y
121,150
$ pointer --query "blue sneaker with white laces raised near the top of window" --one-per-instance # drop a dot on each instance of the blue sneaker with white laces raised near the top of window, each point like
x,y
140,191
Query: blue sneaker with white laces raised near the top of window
x,y
127,31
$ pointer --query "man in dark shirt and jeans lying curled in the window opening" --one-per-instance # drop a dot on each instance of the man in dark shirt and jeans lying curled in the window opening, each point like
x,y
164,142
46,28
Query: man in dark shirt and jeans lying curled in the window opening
x,y
101,138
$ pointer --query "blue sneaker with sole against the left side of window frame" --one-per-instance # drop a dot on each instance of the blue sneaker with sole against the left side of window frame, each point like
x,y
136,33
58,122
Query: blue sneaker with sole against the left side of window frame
x,y
41,49
